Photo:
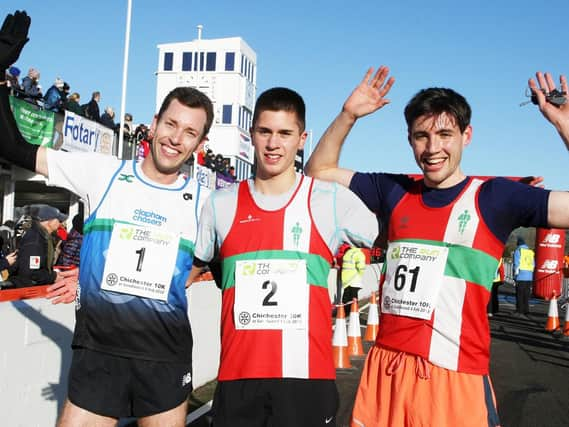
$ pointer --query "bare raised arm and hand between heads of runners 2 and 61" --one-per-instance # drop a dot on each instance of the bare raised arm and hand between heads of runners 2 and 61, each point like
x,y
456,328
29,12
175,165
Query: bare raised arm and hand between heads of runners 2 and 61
x,y
367,97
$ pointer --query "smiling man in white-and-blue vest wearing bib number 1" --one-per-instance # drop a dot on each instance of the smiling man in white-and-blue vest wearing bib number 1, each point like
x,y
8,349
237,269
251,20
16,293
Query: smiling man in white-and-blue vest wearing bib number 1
x,y
132,344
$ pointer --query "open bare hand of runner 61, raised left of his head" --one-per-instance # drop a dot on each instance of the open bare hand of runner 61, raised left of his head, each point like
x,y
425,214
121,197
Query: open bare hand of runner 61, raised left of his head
x,y
369,95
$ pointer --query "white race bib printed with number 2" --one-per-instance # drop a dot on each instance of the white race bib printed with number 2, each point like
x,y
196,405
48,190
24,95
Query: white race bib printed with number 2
x,y
271,294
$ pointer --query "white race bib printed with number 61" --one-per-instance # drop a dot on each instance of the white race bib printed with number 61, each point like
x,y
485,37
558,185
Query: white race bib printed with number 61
x,y
413,279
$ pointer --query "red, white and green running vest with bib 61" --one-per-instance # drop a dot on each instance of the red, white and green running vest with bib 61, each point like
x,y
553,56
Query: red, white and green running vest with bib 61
x,y
440,267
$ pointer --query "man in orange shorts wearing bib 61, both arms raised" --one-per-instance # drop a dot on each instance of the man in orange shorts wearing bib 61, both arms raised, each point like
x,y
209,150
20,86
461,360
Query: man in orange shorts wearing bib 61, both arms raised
x,y
446,234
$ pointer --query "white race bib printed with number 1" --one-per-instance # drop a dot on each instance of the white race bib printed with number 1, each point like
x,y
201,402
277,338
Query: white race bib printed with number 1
x,y
140,261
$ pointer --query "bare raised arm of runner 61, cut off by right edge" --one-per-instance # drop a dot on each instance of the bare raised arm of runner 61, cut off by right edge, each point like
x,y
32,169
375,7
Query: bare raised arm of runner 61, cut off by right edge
x,y
558,116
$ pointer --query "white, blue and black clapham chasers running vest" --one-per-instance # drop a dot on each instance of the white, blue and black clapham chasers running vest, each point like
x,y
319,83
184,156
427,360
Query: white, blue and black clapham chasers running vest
x,y
136,254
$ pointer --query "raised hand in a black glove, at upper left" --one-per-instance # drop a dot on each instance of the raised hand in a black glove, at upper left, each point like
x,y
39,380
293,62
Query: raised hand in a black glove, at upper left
x,y
13,37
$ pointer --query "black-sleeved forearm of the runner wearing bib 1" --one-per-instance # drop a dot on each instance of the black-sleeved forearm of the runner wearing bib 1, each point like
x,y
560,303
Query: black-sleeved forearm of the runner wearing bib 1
x,y
13,146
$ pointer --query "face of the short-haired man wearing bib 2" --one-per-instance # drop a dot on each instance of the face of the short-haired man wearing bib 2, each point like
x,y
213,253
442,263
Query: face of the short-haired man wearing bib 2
x,y
277,137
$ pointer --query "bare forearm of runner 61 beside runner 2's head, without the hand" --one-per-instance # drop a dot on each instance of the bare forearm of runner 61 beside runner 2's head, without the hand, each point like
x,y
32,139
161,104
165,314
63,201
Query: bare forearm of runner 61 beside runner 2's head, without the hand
x,y
323,162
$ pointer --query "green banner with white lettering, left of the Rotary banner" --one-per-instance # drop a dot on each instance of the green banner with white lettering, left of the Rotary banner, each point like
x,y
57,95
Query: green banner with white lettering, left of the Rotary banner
x,y
35,125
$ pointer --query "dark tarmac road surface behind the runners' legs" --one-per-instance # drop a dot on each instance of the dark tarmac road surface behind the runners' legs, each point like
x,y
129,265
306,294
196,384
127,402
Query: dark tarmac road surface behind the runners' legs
x,y
529,368
